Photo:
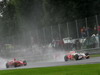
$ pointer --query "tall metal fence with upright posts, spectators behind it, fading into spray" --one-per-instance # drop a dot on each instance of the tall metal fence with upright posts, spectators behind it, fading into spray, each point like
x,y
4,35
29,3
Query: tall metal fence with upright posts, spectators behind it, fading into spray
x,y
66,35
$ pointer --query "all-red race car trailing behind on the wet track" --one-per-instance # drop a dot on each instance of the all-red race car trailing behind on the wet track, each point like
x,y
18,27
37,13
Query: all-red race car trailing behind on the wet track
x,y
16,63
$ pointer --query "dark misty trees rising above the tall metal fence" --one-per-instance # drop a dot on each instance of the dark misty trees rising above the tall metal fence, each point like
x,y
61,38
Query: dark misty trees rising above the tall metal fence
x,y
22,17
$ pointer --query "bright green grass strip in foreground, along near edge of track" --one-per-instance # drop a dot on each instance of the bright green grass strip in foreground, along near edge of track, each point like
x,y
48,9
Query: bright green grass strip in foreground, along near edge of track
x,y
87,69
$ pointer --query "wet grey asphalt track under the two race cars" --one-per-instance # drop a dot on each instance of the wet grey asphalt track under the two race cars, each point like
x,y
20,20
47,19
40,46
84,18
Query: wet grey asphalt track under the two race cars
x,y
58,63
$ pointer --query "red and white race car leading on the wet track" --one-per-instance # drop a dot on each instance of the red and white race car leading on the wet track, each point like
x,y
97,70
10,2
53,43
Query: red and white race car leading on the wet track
x,y
72,55
